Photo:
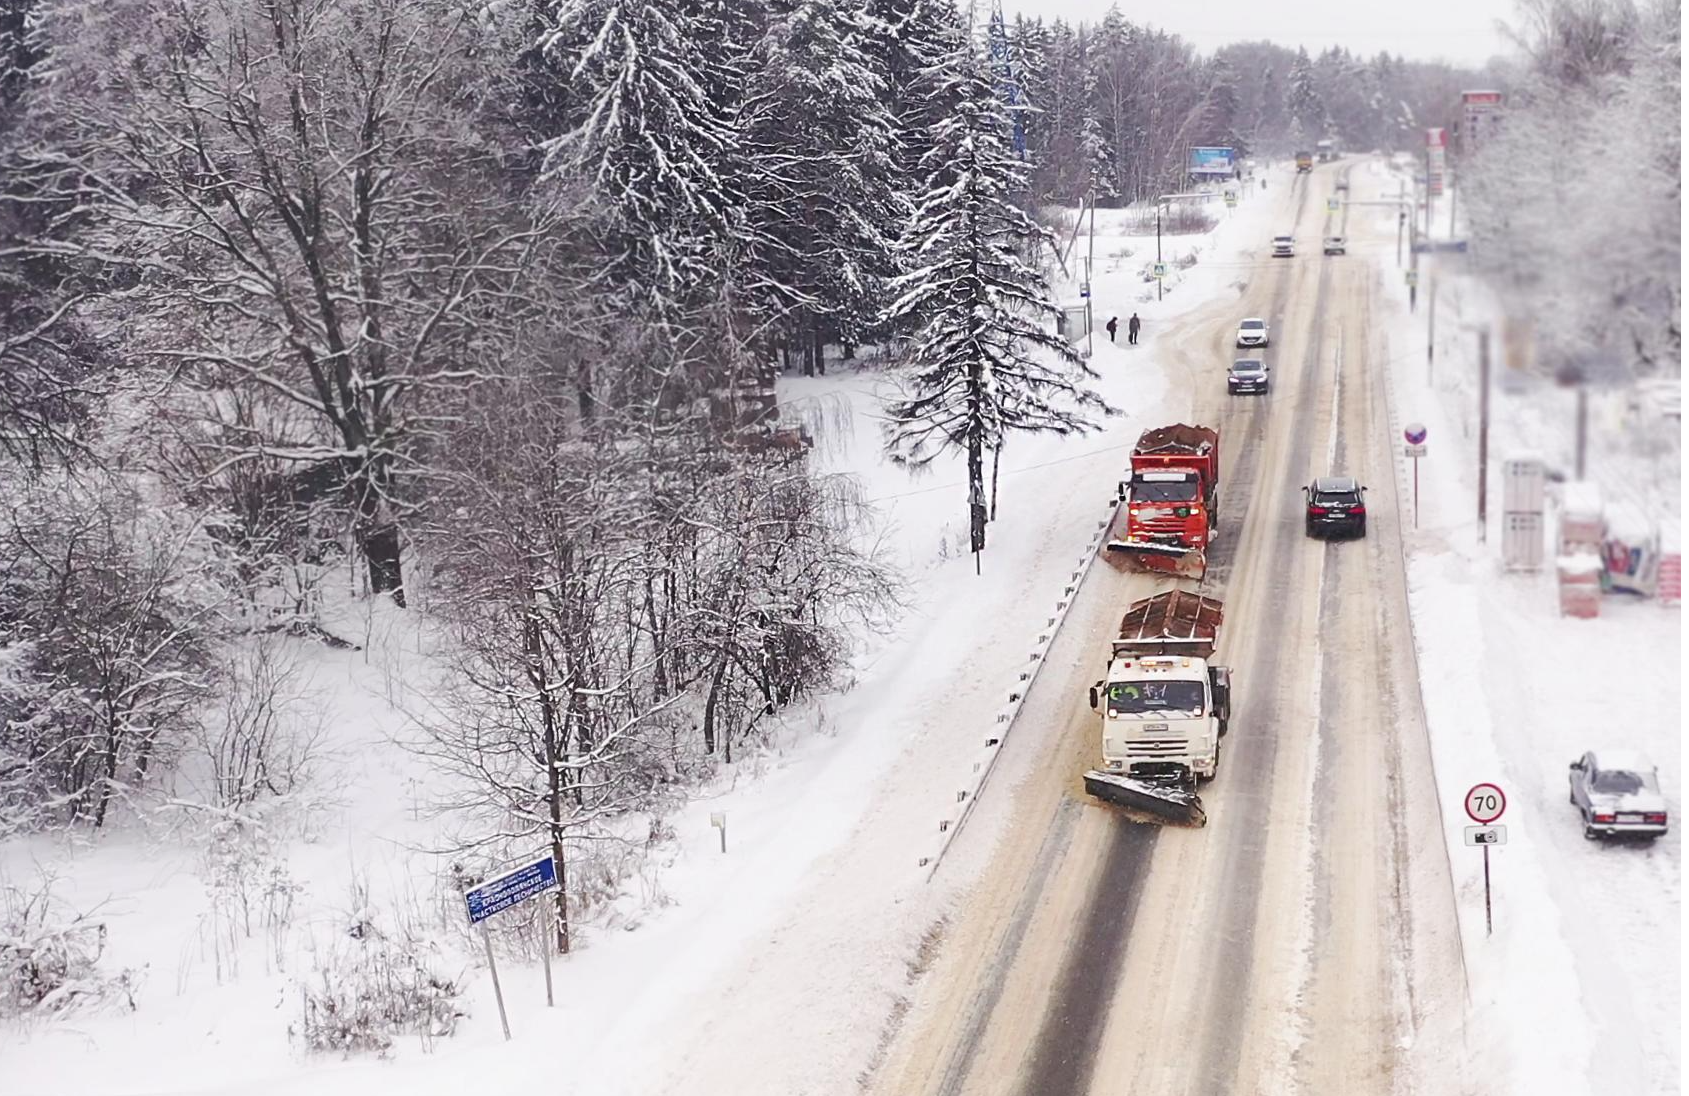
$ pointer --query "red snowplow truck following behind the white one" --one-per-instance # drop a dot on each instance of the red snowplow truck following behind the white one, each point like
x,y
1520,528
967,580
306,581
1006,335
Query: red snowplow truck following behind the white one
x,y
1171,501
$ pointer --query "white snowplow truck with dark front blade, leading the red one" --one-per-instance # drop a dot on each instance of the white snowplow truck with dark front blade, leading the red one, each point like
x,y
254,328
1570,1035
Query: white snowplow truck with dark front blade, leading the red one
x,y
1165,708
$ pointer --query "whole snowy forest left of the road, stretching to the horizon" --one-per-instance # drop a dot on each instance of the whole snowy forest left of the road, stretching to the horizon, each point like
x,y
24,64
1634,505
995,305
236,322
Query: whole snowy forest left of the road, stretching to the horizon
x,y
475,307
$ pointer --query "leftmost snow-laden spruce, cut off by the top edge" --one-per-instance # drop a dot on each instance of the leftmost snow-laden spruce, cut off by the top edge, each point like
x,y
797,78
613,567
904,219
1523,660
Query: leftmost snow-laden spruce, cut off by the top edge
x,y
651,138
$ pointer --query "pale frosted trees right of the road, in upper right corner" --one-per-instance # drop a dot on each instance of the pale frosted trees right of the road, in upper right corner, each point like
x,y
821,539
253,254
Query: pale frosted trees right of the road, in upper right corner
x,y
1577,209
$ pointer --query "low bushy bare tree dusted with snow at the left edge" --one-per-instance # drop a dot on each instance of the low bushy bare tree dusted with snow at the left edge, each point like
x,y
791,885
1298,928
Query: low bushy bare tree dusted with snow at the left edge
x,y
106,621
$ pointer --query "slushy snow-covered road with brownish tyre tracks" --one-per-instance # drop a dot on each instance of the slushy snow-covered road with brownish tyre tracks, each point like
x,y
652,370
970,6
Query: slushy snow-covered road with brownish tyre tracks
x,y
1305,940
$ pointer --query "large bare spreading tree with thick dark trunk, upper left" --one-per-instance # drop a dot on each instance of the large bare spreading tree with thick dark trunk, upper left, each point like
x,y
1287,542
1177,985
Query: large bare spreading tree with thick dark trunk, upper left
x,y
310,212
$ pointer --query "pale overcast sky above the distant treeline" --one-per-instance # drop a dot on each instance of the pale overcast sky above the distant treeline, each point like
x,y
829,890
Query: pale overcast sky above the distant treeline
x,y
1460,31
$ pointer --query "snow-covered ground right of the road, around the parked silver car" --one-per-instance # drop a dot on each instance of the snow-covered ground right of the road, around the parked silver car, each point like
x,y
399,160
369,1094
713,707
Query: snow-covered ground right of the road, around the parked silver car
x,y
1578,990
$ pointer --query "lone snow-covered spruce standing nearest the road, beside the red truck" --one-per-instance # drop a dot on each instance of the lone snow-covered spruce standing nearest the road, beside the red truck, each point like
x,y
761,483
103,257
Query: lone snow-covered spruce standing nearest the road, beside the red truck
x,y
984,362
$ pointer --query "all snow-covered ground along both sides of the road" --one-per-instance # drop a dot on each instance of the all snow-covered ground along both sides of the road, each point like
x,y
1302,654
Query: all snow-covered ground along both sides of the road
x,y
795,947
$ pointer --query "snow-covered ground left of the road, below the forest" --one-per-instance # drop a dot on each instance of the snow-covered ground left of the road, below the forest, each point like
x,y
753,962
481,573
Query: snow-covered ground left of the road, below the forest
x,y
791,948
